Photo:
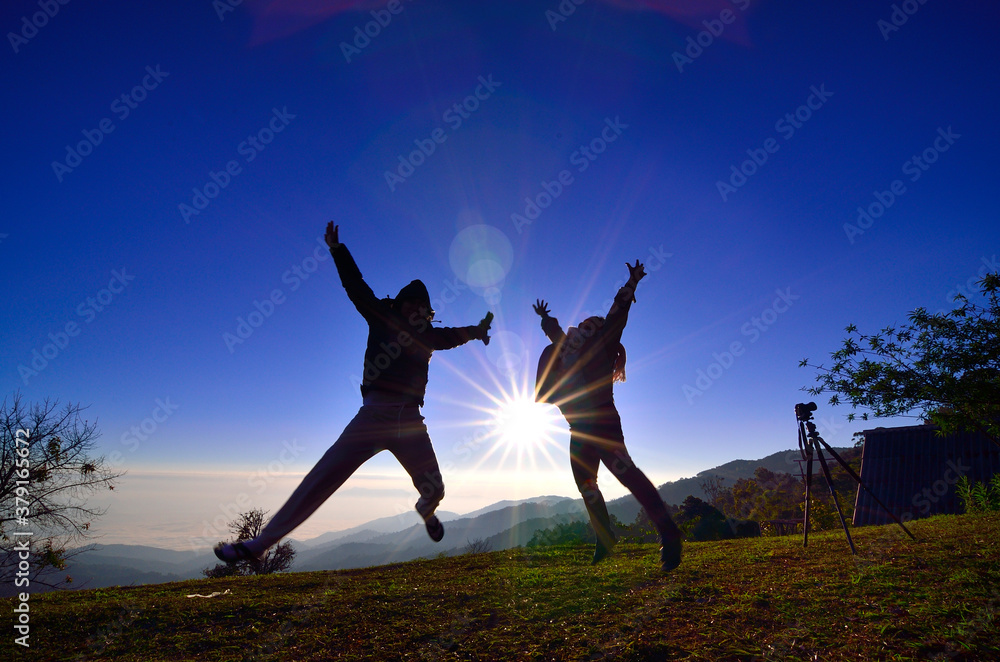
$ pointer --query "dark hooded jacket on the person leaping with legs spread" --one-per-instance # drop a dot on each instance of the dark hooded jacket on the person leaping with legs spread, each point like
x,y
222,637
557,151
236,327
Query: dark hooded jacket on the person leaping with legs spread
x,y
399,350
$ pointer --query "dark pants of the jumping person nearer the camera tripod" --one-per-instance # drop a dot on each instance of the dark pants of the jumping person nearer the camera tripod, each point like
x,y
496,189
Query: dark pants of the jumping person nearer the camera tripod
x,y
597,438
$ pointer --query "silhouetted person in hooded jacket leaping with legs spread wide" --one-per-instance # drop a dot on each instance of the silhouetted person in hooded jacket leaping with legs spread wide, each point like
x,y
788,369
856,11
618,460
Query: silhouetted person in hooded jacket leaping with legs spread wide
x,y
400,342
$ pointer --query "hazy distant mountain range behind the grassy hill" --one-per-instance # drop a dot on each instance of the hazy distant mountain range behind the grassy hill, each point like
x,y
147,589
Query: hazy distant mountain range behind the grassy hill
x,y
502,525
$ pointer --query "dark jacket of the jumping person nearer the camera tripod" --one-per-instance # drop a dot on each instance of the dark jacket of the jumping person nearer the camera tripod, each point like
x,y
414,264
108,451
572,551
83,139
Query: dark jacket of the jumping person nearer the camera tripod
x,y
579,379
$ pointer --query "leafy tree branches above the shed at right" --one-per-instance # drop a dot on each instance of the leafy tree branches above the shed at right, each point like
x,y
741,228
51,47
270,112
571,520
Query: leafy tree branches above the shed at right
x,y
945,366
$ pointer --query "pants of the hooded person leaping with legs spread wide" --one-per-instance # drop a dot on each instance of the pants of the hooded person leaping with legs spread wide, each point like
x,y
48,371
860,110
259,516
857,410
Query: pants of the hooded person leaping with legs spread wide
x,y
397,429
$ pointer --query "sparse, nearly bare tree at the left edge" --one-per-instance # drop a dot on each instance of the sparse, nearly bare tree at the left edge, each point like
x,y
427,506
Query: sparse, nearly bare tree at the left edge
x,y
45,485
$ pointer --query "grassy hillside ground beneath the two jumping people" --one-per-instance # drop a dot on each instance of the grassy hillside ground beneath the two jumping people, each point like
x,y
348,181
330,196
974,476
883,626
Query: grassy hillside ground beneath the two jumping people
x,y
752,599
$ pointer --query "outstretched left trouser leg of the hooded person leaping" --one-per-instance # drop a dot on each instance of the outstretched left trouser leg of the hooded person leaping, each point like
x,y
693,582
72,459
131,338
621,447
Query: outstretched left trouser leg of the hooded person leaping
x,y
357,444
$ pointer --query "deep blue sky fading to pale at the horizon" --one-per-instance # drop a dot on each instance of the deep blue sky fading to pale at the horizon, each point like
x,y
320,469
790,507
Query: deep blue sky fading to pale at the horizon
x,y
632,117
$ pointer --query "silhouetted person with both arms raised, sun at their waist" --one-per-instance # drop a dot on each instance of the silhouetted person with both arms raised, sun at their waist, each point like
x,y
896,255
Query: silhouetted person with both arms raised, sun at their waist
x,y
576,373
